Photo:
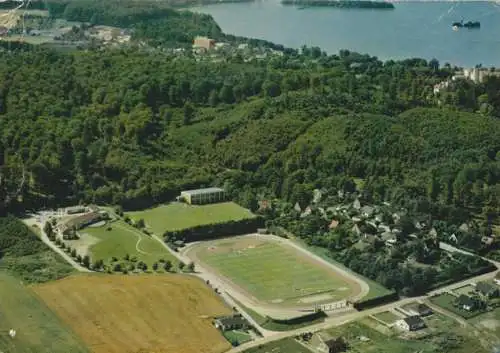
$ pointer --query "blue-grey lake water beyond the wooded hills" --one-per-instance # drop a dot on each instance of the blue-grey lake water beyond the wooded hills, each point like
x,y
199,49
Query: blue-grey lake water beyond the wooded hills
x,y
410,30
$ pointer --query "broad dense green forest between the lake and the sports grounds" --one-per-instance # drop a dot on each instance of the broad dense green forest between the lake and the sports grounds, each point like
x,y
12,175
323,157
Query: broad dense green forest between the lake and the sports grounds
x,y
134,127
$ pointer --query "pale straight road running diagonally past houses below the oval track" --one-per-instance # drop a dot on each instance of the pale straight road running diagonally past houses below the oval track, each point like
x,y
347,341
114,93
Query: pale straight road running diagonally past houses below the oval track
x,y
341,320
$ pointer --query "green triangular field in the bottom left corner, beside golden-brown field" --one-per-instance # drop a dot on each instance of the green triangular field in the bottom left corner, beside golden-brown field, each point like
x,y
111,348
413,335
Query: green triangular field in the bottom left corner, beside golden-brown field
x,y
38,330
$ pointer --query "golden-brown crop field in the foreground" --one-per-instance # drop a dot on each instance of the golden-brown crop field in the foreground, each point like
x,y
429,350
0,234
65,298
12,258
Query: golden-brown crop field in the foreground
x,y
146,314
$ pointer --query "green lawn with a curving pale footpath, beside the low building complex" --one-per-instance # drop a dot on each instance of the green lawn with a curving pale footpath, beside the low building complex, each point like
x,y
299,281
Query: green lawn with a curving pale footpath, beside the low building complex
x,y
124,239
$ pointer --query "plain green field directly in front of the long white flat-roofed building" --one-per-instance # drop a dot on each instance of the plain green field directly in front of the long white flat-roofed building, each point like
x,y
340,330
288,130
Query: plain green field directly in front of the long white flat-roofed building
x,y
176,216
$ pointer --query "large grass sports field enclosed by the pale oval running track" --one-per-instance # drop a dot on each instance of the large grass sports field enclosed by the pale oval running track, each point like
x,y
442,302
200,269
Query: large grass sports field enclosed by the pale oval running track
x,y
273,272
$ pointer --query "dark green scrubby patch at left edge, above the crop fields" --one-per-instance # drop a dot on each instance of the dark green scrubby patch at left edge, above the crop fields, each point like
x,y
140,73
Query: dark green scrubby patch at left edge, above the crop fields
x,y
23,254
